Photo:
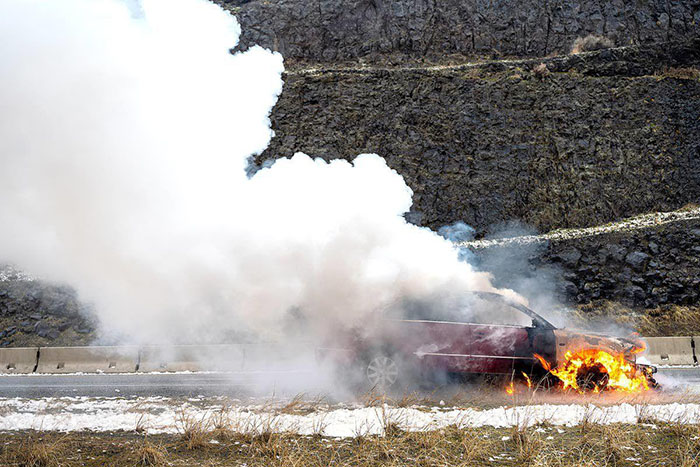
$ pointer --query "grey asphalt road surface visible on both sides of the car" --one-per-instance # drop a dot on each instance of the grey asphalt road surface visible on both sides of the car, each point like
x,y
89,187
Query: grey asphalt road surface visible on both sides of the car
x,y
205,384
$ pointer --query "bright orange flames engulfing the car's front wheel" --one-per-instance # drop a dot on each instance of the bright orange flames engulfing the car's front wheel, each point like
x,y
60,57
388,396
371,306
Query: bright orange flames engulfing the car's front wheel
x,y
596,370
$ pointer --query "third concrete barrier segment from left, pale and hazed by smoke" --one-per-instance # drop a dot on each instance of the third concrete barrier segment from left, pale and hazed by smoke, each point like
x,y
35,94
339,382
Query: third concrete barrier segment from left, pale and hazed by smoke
x,y
221,357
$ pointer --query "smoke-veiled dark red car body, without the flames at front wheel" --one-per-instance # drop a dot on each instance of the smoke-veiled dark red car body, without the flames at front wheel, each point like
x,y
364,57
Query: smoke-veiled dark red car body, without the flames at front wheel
x,y
476,333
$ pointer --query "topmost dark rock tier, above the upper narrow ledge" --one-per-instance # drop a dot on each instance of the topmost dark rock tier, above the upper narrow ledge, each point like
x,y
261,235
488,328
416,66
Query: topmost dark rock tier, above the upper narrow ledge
x,y
333,30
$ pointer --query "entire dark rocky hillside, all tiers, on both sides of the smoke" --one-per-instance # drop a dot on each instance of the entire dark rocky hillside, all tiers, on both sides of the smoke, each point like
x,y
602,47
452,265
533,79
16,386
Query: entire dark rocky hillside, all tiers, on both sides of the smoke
x,y
491,122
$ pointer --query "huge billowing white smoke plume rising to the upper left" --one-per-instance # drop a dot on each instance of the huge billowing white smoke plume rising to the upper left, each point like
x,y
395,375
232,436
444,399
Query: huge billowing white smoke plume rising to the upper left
x,y
126,129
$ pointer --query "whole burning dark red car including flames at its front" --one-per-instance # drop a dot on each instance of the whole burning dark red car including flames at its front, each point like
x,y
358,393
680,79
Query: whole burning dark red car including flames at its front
x,y
487,334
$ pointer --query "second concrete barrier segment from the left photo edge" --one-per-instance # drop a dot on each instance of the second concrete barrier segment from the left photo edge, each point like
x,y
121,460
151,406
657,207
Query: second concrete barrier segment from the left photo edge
x,y
106,359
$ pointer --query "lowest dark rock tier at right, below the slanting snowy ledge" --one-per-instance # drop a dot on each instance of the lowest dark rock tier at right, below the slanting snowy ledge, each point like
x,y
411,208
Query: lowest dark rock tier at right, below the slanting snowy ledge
x,y
643,268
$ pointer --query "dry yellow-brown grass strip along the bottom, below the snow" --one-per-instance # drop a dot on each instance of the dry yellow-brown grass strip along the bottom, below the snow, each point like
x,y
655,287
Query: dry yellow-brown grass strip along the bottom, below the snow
x,y
583,445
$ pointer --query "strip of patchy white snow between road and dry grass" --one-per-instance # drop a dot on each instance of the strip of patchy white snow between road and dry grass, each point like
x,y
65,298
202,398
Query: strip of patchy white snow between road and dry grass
x,y
159,415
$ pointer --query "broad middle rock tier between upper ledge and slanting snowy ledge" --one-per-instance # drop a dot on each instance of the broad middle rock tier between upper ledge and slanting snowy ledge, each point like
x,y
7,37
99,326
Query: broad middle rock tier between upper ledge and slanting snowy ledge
x,y
599,138
